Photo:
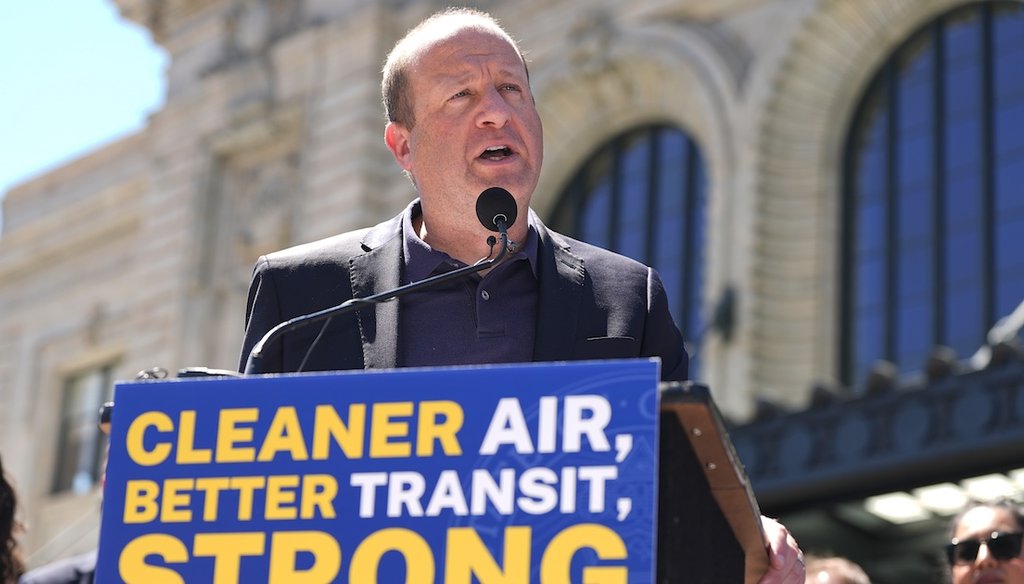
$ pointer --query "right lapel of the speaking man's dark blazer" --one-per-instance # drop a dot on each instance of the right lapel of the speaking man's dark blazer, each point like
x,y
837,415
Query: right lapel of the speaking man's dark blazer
x,y
562,277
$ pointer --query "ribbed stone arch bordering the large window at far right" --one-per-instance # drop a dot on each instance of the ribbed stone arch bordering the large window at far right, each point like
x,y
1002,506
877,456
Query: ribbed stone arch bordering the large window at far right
x,y
804,130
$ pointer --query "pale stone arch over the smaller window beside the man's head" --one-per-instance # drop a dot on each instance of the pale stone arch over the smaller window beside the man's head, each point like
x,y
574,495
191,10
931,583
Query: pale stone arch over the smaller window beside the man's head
x,y
651,73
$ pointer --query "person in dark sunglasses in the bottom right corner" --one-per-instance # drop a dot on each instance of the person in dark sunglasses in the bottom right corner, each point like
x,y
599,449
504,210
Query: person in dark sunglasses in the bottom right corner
x,y
986,545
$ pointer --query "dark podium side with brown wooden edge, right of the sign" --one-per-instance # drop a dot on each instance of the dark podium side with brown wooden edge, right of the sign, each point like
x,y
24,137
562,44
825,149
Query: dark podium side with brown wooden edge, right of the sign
x,y
709,522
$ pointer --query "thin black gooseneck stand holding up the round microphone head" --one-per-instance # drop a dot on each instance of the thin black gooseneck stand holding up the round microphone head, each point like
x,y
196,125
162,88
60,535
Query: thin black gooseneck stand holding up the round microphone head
x,y
255,361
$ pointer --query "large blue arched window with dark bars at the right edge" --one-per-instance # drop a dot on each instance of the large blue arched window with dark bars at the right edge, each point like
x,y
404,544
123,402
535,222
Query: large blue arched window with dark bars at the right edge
x,y
934,197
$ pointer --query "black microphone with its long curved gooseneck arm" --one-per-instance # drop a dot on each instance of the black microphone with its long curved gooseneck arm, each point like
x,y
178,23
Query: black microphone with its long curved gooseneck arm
x,y
496,210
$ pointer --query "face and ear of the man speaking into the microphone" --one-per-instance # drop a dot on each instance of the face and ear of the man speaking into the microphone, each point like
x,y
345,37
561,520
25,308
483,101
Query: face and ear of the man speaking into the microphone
x,y
477,124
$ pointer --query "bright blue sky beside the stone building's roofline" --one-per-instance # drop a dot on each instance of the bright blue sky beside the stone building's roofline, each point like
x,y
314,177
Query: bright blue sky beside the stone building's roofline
x,y
74,76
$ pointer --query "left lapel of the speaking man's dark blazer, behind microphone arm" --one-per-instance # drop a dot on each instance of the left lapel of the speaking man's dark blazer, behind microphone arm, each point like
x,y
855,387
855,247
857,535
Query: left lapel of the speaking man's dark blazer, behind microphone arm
x,y
377,271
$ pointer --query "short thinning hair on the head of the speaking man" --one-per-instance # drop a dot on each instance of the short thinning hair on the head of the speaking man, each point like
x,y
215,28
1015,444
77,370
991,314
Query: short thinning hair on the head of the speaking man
x,y
440,27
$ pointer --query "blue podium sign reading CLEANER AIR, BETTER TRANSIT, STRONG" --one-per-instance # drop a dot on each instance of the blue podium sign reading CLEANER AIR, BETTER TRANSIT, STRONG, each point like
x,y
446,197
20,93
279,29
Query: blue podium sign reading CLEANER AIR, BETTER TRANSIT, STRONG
x,y
539,473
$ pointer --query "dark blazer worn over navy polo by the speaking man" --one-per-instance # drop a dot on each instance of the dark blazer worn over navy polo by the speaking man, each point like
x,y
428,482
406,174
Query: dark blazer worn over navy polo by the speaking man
x,y
593,304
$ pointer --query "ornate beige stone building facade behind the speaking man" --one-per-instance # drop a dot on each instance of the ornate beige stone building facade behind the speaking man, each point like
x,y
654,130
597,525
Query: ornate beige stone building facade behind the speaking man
x,y
139,255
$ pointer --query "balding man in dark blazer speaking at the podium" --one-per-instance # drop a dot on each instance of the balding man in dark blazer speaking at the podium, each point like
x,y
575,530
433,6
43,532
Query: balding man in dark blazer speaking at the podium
x,y
461,119
